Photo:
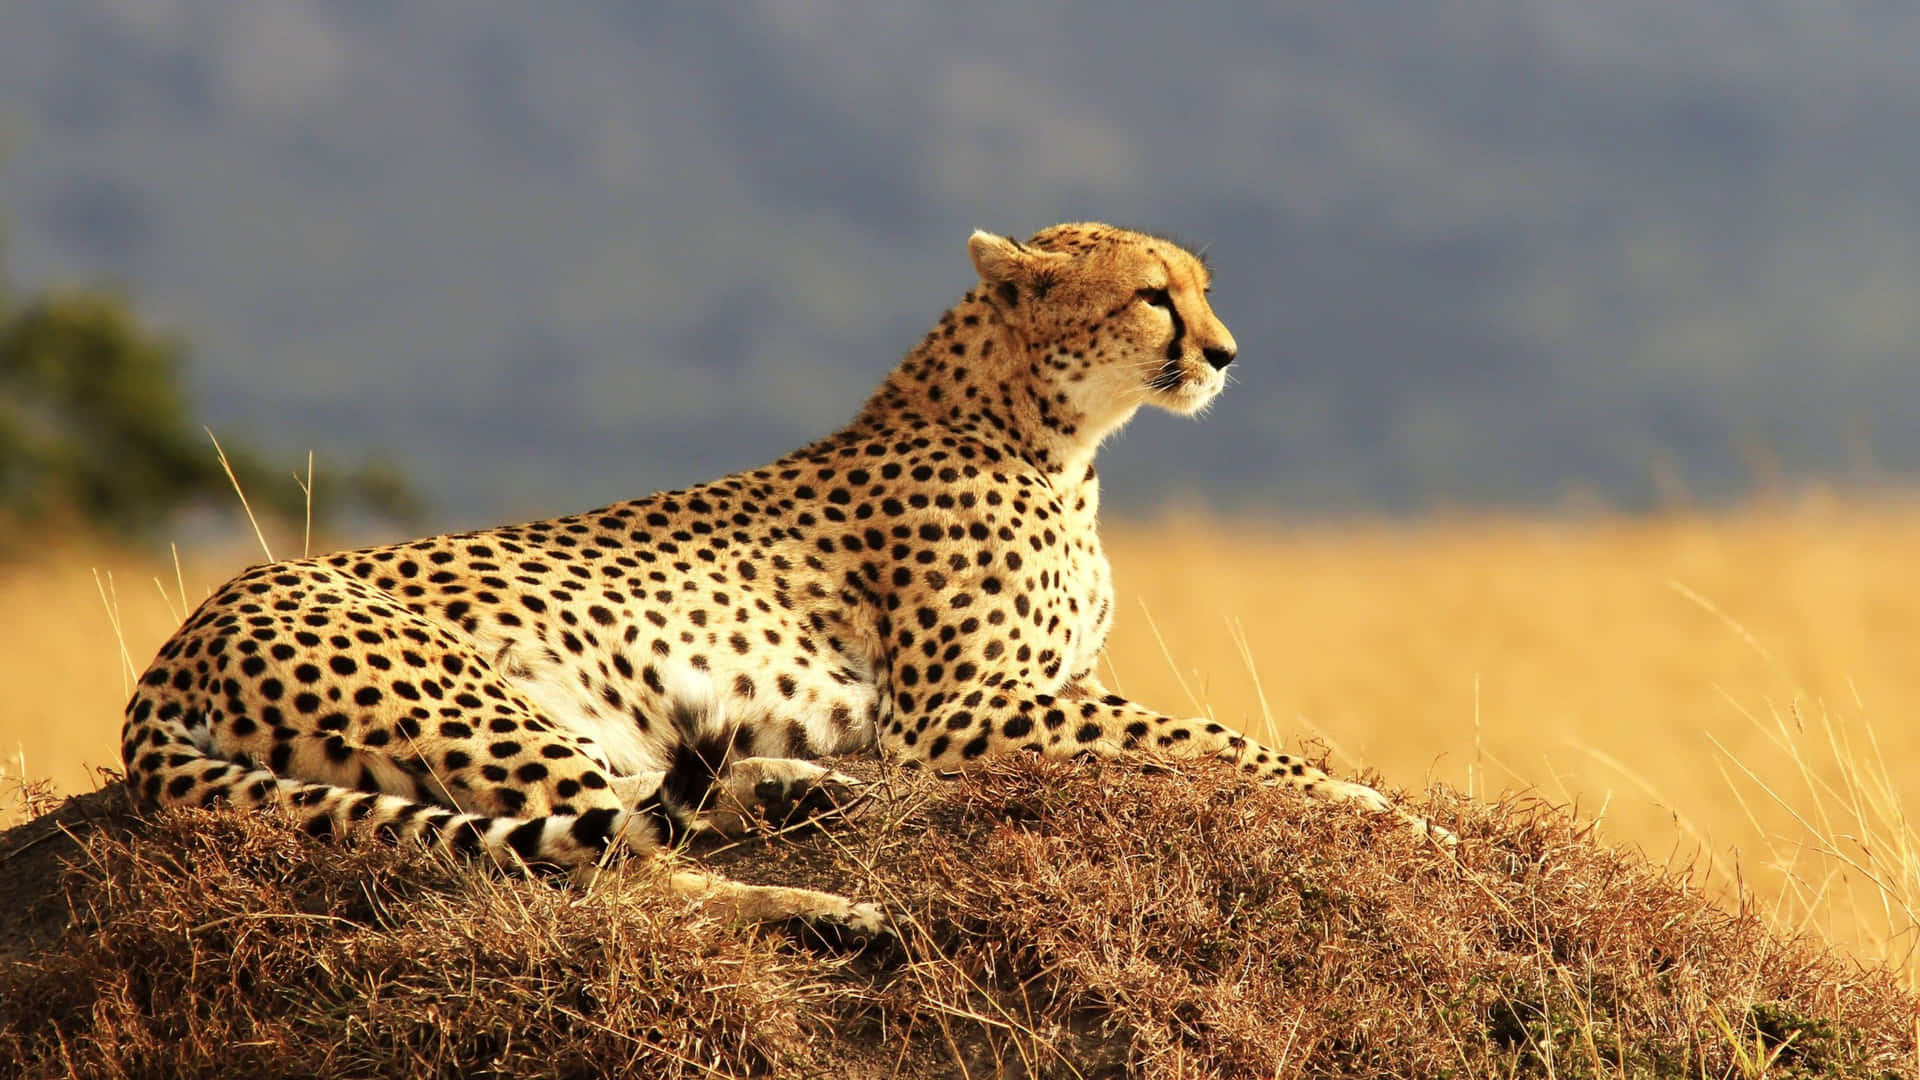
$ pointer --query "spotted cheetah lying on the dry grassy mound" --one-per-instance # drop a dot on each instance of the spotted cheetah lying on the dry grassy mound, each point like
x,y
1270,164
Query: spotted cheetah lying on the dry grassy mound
x,y
924,585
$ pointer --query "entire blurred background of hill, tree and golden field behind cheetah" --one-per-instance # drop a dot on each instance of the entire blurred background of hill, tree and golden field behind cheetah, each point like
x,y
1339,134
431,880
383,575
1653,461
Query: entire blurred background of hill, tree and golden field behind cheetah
x,y
1566,453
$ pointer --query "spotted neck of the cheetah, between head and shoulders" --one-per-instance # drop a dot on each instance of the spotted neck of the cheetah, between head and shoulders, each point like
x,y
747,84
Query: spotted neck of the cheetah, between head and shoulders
x,y
978,376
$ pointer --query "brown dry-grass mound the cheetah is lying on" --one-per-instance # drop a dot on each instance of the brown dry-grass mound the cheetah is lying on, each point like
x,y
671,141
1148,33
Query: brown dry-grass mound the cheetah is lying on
x,y
1059,921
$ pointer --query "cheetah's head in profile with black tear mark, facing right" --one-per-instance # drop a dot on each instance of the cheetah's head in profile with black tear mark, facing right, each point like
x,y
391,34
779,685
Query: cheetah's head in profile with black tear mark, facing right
x,y
1113,320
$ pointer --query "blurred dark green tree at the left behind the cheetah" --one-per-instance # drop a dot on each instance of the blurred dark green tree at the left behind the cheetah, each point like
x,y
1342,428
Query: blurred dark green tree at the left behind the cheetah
x,y
95,428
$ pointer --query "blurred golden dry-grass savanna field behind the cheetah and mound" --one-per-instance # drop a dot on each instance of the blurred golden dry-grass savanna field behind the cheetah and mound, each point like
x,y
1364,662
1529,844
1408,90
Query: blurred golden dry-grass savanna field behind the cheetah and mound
x,y
1723,691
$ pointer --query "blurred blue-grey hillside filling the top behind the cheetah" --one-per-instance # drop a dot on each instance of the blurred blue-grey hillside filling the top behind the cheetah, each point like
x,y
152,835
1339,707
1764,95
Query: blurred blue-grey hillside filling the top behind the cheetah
x,y
1476,253
